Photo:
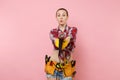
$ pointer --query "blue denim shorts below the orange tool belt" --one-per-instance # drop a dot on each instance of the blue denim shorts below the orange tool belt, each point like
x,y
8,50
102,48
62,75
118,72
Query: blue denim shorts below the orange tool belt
x,y
58,74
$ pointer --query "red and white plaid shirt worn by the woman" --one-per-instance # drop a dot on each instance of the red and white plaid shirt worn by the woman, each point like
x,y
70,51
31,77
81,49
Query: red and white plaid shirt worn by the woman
x,y
69,31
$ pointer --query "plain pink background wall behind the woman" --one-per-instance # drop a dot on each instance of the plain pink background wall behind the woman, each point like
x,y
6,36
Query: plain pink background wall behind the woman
x,y
24,37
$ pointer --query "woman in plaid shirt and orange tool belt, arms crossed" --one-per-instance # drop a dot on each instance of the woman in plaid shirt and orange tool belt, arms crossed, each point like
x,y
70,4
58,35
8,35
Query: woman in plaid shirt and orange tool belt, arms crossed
x,y
60,65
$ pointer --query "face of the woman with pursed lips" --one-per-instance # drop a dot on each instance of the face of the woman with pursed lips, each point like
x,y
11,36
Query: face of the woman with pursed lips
x,y
62,17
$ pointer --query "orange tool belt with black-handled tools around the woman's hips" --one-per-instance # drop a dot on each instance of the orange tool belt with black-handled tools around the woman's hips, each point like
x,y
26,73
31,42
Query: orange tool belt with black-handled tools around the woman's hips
x,y
67,68
